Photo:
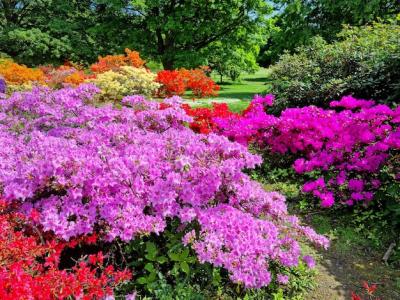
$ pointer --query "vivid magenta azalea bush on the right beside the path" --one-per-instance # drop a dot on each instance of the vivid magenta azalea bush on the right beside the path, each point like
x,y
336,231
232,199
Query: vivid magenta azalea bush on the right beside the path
x,y
348,145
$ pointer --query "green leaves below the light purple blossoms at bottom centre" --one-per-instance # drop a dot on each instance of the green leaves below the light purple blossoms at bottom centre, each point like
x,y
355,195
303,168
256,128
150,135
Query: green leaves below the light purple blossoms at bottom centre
x,y
166,269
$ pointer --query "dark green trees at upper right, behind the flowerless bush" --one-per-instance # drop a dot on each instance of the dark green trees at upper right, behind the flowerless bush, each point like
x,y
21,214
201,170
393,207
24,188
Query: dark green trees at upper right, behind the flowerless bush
x,y
303,20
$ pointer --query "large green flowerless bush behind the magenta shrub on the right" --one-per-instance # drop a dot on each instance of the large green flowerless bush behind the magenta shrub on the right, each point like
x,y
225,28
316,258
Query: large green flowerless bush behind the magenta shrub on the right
x,y
365,63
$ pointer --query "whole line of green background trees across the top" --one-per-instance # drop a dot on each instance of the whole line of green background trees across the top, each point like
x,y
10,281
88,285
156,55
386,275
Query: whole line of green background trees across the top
x,y
230,35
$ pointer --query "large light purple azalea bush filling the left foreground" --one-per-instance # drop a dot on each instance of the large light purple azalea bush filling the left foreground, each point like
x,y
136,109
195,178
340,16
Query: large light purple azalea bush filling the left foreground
x,y
123,173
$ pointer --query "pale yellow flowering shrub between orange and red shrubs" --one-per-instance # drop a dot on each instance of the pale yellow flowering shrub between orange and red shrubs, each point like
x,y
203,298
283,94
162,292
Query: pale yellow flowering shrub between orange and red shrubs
x,y
125,81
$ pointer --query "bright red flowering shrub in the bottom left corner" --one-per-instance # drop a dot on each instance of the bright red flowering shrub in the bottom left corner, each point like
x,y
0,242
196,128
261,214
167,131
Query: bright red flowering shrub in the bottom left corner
x,y
29,264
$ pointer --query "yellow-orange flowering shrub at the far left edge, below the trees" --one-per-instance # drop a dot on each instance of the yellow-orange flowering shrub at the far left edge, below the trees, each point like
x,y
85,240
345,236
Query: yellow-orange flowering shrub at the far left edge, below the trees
x,y
14,73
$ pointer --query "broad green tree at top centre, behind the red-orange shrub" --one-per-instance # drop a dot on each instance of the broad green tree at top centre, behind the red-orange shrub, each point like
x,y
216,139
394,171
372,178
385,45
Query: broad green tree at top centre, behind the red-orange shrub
x,y
176,30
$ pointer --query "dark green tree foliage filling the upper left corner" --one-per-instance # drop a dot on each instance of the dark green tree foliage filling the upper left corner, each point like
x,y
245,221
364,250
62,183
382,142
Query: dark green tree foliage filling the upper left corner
x,y
50,31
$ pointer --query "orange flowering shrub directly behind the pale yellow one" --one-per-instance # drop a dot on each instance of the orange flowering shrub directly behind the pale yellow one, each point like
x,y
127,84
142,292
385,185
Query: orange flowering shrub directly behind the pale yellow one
x,y
114,62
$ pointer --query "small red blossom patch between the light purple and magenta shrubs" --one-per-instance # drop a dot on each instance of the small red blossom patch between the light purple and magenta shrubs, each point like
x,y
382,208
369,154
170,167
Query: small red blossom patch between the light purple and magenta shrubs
x,y
203,117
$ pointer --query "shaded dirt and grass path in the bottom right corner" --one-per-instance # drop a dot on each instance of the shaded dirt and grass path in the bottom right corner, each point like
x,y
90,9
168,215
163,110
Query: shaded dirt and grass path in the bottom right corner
x,y
350,260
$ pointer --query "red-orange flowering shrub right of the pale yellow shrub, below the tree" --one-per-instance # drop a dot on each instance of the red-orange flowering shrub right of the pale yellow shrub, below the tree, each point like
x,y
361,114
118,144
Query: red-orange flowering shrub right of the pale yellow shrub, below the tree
x,y
176,82
